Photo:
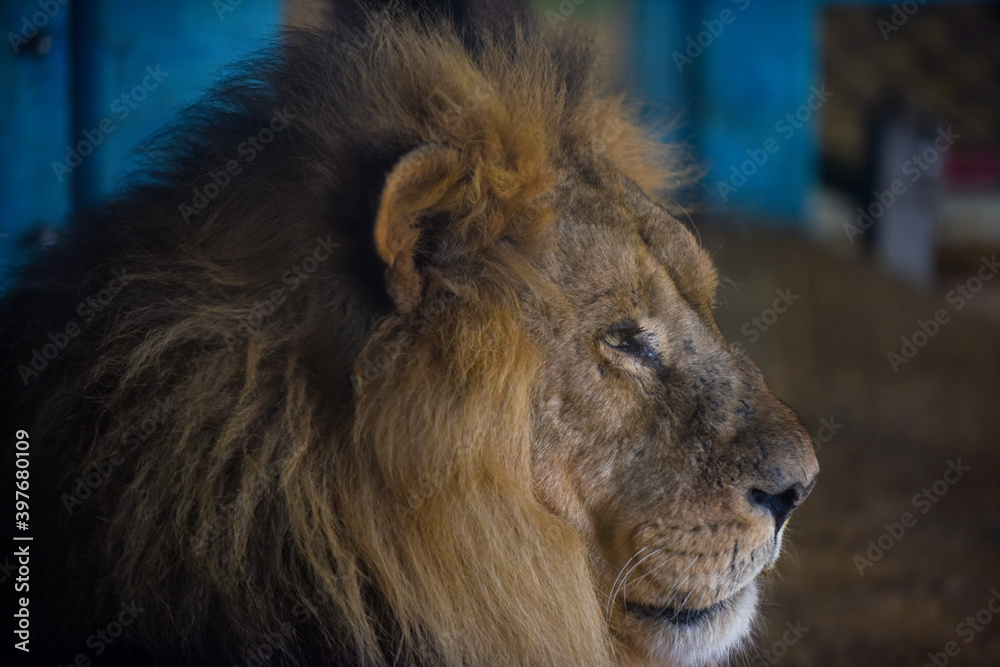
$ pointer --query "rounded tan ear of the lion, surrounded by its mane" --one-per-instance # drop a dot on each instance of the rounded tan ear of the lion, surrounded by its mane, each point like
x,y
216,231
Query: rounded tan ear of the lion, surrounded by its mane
x,y
417,186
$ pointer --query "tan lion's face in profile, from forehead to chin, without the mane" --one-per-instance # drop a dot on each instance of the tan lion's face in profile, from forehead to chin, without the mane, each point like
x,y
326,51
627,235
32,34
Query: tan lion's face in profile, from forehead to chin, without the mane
x,y
655,439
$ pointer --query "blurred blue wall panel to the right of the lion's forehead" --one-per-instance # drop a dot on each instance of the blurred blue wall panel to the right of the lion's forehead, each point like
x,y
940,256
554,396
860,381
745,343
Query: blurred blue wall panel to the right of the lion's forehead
x,y
734,70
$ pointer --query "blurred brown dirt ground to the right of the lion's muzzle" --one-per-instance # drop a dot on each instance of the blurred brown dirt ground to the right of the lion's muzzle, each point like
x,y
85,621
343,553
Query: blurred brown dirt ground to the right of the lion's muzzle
x,y
827,357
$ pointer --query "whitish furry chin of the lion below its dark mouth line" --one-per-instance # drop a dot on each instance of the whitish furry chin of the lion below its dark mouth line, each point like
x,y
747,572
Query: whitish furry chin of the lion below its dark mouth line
x,y
691,637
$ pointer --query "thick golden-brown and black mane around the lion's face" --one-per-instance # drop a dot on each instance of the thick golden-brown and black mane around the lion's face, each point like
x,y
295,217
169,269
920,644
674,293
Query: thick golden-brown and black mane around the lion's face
x,y
261,450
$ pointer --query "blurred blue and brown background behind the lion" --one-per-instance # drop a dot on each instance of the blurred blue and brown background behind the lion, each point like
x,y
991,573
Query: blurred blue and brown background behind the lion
x,y
850,197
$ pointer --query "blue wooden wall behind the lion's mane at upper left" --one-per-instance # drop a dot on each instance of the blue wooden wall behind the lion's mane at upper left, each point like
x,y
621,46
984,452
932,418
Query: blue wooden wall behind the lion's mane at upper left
x,y
116,71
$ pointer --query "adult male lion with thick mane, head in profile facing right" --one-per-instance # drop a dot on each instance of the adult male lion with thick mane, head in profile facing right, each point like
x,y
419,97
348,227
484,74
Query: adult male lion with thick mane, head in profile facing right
x,y
397,355
